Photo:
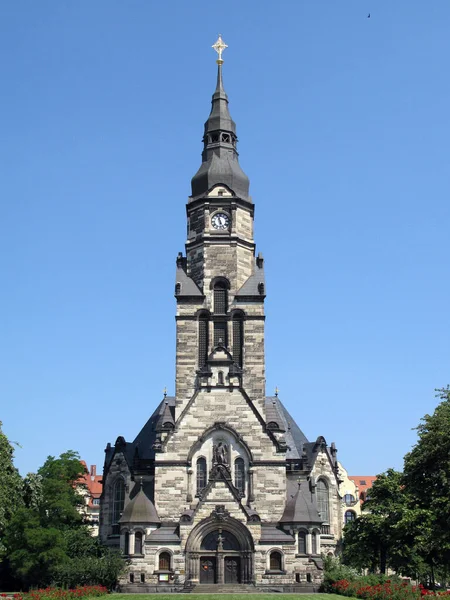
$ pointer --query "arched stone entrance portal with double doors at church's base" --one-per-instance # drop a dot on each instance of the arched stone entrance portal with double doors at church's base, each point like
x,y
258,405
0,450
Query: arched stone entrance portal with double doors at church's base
x,y
219,551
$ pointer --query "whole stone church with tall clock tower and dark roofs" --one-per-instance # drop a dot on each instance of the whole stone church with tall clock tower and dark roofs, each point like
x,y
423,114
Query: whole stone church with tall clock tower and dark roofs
x,y
220,488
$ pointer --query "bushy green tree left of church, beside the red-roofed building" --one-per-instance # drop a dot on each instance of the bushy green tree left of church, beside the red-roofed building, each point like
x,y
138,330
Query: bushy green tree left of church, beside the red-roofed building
x,y
47,540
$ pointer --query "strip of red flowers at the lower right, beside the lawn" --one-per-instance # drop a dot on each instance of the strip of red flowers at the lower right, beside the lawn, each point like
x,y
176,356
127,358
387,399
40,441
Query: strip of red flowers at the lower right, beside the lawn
x,y
383,591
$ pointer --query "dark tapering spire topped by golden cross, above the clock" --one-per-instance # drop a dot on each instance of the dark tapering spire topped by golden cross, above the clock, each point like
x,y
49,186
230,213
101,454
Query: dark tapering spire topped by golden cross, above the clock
x,y
219,157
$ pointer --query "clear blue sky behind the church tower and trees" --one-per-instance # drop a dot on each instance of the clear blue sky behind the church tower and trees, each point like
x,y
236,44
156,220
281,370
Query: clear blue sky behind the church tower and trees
x,y
344,131
